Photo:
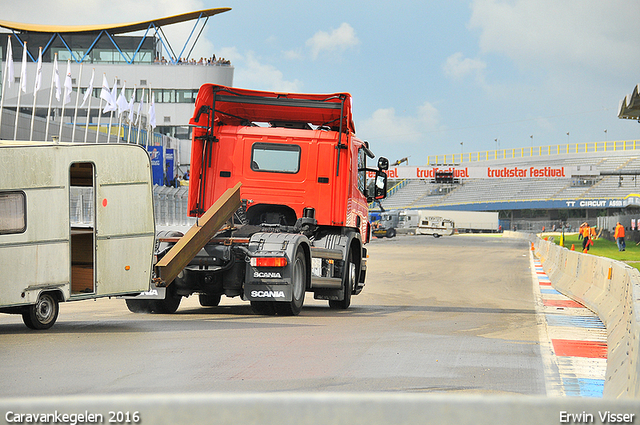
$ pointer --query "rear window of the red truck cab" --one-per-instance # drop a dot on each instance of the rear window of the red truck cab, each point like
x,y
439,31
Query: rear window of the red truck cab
x,y
275,158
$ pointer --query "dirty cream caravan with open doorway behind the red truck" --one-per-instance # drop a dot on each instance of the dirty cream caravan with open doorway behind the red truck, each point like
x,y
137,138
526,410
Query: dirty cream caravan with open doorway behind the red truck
x,y
76,222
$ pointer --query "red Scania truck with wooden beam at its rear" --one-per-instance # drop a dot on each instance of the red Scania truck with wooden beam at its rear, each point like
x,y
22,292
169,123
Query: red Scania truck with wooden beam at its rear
x,y
281,187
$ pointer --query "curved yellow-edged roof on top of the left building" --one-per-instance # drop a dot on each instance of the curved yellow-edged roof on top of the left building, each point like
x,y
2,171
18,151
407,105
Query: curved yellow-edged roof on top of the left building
x,y
112,28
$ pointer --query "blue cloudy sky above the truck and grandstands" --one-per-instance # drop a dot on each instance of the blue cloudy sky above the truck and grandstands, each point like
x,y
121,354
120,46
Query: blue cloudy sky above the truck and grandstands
x,y
427,77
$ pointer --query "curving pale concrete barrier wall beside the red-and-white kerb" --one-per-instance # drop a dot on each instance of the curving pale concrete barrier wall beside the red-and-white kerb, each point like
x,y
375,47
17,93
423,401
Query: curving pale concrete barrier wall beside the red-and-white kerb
x,y
612,290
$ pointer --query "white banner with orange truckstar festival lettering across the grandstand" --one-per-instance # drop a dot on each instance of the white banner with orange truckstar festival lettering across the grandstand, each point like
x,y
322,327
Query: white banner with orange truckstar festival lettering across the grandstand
x,y
409,172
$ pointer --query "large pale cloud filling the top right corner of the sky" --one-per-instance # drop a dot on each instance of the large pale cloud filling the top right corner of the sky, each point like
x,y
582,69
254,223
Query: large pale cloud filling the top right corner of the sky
x,y
586,33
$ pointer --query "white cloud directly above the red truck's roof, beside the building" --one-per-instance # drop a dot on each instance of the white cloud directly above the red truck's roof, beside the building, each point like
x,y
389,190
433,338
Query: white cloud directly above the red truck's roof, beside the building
x,y
251,73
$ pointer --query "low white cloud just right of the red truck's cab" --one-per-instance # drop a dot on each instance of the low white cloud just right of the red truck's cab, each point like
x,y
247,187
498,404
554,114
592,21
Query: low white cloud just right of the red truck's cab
x,y
386,126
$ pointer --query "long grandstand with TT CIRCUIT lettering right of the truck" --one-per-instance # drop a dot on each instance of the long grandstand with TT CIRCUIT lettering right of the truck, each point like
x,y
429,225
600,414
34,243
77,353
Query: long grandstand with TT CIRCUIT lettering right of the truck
x,y
604,181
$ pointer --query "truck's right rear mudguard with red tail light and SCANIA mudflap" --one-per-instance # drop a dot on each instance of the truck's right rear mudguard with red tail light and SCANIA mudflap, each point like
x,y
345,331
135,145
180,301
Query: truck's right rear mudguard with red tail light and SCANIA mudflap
x,y
269,272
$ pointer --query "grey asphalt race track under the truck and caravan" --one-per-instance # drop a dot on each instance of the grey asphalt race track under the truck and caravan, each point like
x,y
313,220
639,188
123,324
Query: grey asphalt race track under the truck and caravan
x,y
449,315
